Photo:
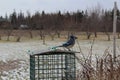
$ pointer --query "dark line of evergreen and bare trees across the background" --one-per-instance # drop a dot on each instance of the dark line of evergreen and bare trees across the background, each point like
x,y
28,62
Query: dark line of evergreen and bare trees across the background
x,y
89,21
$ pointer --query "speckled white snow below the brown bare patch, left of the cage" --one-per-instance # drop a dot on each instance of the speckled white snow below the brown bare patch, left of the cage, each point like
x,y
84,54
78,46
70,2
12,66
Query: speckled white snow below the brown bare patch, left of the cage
x,y
21,73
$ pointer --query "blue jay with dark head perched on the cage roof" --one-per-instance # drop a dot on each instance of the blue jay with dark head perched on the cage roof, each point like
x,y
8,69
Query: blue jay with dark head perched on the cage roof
x,y
69,44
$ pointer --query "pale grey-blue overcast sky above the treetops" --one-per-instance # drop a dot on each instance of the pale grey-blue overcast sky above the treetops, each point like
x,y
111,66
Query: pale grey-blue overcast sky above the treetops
x,y
8,6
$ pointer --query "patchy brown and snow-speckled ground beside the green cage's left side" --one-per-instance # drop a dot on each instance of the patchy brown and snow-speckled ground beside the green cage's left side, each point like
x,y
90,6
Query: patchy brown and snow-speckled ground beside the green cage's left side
x,y
14,70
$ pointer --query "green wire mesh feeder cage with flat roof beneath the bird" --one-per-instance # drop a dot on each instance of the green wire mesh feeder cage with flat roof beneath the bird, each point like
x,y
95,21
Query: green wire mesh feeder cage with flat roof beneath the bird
x,y
53,65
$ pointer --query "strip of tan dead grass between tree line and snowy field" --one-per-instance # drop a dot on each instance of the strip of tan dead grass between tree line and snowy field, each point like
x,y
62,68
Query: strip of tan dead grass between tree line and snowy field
x,y
25,35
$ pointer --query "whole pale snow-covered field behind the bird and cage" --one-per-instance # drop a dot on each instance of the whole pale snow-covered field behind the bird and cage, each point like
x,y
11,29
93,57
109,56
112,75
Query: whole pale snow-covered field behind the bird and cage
x,y
14,58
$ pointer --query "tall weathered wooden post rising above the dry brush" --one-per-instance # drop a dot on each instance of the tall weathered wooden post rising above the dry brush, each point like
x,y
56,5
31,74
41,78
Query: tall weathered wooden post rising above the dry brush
x,y
114,30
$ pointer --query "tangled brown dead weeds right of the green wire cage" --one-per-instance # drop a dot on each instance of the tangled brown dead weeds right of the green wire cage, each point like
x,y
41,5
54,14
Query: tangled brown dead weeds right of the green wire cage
x,y
102,69
